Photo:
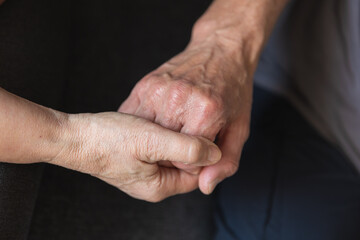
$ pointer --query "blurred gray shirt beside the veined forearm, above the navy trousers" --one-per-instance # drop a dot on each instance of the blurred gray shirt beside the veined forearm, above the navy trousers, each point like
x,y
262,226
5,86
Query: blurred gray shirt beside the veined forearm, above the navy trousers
x,y
313,57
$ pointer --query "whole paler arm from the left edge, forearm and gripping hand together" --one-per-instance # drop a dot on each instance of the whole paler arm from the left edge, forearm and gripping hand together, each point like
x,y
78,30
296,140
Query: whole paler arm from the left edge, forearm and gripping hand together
x,y
117,148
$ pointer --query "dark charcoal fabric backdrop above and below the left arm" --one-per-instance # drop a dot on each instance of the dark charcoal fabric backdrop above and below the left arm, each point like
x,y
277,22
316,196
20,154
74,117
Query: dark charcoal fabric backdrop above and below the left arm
x,y
85,56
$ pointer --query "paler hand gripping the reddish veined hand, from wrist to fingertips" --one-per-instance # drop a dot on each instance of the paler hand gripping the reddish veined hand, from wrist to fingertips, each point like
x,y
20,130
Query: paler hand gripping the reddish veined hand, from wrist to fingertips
x,y
124,151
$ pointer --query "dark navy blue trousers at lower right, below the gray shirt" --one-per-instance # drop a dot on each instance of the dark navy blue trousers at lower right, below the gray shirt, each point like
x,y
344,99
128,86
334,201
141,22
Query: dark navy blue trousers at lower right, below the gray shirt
x,y
291,184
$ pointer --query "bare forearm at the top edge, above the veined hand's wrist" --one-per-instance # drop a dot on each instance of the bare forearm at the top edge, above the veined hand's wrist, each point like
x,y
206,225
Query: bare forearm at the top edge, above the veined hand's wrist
x,y
240,27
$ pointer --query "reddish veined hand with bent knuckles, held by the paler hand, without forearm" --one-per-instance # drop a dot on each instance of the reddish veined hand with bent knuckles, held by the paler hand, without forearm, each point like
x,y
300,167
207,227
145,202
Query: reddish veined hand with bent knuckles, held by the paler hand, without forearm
x,y
204,91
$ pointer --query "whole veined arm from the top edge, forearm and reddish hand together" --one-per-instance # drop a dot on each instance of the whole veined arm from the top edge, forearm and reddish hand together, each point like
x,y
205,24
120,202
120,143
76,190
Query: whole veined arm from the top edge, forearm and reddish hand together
x,y
206,90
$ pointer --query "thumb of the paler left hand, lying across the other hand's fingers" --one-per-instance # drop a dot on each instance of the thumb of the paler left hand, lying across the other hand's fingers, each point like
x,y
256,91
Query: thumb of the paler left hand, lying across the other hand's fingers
x,y
163,144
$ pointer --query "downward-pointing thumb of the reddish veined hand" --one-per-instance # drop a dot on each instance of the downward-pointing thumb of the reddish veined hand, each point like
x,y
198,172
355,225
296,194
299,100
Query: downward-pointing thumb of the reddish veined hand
x,y
231,142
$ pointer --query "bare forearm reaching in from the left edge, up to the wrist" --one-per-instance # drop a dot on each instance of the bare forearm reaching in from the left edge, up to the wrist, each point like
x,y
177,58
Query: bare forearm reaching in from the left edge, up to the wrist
x,y
29,132
